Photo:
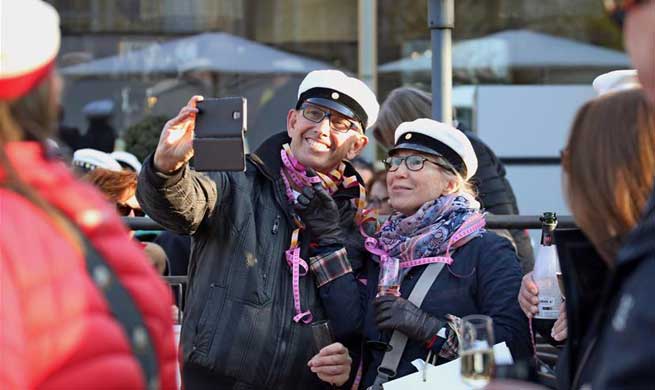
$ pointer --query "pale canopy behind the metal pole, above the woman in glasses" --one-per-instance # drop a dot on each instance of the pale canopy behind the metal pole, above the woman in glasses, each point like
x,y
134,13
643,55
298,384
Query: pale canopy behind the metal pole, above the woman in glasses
x,y
515,49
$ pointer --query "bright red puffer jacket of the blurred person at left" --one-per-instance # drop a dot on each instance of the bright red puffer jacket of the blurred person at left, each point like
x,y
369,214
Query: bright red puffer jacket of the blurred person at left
x,y
56,331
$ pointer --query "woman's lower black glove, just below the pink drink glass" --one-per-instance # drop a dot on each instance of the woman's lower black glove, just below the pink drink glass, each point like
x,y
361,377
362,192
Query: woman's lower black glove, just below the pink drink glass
x,y
397,313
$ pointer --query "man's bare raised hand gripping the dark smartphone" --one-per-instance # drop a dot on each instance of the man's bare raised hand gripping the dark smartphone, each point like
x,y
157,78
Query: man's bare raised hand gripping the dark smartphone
x,y
175,146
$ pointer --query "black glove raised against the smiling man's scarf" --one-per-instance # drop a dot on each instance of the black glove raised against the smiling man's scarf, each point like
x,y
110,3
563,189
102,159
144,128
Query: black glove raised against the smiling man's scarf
x,y
320,215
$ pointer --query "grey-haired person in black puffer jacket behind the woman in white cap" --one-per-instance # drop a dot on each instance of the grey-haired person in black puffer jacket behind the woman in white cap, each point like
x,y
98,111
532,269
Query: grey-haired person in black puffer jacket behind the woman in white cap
x,y
495,193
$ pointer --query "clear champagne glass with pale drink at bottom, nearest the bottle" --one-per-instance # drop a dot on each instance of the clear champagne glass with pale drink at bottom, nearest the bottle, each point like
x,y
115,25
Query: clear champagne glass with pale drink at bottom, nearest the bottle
x,y
476,350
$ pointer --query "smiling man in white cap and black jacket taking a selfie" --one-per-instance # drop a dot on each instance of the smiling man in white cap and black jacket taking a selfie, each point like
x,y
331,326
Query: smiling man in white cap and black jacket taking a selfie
x,y
275,248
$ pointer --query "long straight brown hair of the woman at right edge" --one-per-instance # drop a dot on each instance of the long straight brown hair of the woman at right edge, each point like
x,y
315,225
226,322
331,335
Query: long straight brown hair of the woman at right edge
x,y
609,163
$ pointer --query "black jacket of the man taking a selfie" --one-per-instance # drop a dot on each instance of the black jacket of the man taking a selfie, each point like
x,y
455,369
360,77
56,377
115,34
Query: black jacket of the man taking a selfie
x,y
238,325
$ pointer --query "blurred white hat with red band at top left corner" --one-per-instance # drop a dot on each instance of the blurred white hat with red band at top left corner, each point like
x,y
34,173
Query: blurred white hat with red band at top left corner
x,y
29,43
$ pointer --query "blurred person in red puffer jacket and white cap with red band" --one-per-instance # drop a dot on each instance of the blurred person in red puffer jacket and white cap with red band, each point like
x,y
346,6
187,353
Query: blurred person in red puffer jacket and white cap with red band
x,y
80,306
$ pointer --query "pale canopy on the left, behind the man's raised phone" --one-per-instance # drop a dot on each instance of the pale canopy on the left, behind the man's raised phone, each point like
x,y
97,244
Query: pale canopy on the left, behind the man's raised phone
x,y
214,52
